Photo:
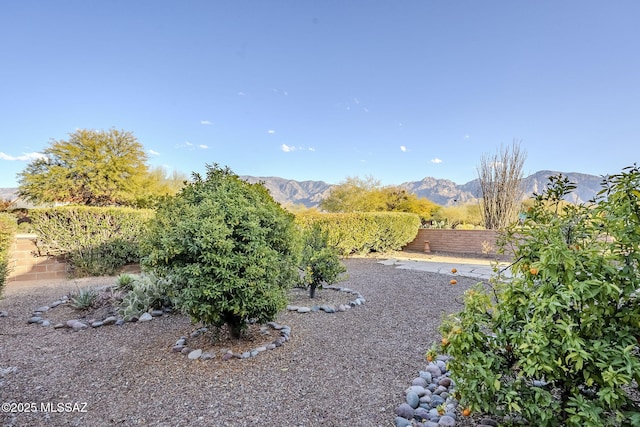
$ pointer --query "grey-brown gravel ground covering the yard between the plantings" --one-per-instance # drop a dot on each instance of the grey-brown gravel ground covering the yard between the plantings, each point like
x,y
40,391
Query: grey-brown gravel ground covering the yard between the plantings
x,y
343,369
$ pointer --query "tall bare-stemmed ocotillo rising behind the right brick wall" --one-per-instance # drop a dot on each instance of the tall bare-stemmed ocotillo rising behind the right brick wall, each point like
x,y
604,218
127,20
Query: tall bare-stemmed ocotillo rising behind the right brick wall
x,y
500,178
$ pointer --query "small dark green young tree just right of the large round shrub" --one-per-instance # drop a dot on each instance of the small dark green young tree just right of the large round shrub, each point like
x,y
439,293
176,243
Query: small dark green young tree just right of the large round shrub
x,y
320,263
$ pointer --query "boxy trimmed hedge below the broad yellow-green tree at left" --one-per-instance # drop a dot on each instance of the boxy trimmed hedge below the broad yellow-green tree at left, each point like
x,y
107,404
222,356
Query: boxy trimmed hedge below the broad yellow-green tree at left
x,y
94,240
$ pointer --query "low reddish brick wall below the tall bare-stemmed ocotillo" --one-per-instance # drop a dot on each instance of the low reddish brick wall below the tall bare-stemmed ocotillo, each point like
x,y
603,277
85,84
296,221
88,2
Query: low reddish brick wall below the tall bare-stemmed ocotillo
x,y
468,242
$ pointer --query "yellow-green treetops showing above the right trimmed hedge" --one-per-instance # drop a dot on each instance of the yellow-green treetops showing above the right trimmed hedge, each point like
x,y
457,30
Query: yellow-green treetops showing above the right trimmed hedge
x,y
367,195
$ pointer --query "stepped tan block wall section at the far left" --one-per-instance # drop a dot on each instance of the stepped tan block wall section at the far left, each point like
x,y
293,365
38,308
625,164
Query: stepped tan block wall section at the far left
x,y
25,262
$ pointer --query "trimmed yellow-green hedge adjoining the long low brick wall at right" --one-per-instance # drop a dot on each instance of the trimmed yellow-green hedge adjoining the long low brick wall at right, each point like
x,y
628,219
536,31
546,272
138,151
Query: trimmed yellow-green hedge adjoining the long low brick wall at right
x,y
364,232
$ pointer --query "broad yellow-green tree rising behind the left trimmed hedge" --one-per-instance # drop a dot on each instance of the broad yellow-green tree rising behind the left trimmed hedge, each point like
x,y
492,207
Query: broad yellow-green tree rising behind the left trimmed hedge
x,y
91,167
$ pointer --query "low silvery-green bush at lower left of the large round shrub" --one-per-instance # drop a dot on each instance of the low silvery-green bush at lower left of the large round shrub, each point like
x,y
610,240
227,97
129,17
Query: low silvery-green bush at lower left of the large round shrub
x,y
148,291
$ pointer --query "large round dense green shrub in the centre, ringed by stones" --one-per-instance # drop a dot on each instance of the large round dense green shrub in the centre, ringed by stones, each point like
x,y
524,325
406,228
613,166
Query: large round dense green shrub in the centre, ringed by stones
x,y
228,248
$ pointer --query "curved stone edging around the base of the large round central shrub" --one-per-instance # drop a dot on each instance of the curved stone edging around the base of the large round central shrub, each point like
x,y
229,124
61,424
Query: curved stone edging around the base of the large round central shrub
x,y
182,347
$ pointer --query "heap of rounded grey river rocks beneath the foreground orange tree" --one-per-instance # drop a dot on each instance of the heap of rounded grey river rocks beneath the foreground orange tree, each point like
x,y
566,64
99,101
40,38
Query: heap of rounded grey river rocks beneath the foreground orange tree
x,y
429,401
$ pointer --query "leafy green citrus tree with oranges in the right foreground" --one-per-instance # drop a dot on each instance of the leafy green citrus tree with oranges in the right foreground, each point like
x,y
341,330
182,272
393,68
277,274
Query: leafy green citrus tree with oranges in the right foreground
x,y
557,344
